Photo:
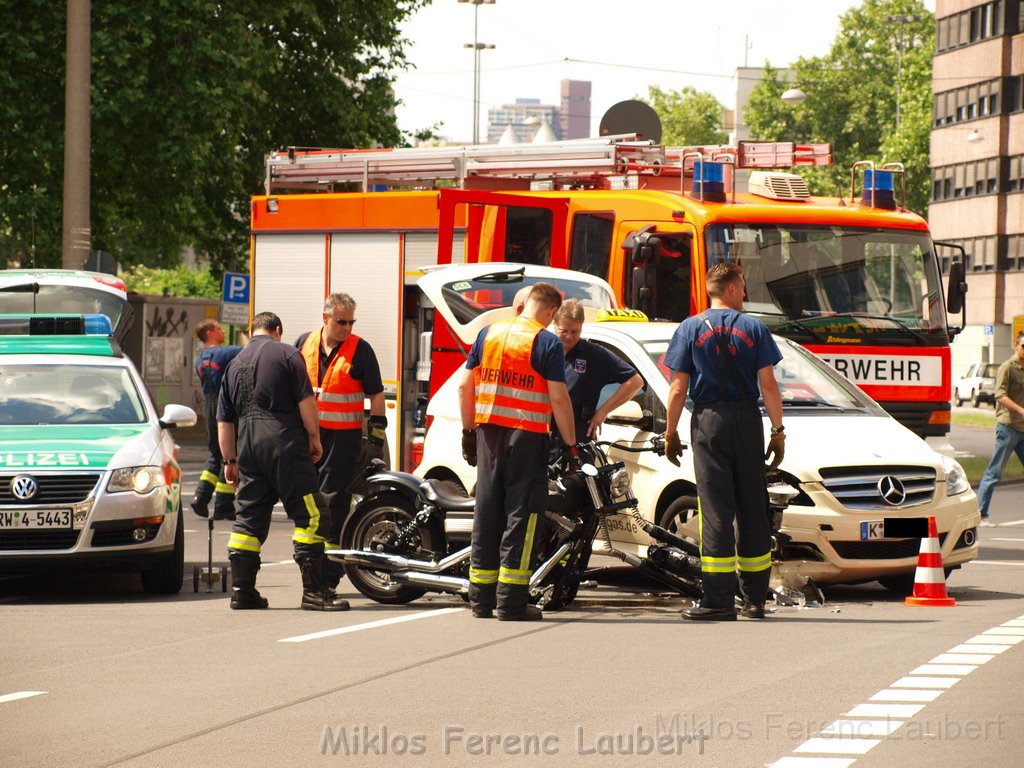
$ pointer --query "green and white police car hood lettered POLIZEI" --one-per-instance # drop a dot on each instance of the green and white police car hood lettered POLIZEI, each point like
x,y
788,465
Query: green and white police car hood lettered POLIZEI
x,y
77,447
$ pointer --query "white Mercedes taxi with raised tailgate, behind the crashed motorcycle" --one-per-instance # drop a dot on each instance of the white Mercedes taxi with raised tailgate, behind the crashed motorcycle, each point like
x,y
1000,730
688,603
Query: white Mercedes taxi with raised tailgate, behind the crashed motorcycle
x,y
858,471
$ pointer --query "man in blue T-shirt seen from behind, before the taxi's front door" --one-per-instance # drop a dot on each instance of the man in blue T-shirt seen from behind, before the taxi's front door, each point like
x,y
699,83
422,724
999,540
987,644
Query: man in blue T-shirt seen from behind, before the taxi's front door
x,y
722,356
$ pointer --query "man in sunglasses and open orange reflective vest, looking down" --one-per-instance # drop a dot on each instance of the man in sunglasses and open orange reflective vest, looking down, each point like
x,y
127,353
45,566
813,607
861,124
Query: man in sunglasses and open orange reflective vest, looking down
x,y
344,371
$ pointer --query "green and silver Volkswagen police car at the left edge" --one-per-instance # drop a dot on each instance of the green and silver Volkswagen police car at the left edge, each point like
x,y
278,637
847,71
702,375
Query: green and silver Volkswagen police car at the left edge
x,y
89,476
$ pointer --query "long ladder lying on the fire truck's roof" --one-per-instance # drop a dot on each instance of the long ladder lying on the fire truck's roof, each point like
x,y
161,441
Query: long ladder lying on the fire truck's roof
x,y
572,161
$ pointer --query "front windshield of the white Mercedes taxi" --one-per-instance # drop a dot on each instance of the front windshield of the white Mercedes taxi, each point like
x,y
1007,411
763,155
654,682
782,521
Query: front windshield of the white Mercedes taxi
x,y
805,381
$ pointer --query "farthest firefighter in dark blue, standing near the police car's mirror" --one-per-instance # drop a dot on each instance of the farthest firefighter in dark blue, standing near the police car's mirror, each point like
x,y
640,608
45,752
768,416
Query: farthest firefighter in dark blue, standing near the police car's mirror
x,y
210,366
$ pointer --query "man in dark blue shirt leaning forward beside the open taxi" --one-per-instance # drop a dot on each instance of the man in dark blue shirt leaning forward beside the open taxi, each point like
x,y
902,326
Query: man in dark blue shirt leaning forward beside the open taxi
x,y
589,369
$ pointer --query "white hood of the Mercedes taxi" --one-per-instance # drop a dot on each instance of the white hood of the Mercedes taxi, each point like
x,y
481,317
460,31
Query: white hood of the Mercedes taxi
x,y
856,442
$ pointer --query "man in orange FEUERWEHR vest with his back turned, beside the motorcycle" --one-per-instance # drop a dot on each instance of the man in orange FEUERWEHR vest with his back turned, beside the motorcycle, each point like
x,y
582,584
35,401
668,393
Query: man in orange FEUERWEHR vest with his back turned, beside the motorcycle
x,y
514,383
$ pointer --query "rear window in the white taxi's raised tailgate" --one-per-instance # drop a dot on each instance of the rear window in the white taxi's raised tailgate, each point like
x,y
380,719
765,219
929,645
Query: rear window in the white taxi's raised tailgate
x,y
470,298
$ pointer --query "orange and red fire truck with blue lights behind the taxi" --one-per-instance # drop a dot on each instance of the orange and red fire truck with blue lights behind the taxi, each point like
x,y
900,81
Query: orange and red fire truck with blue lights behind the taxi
x,y
857,279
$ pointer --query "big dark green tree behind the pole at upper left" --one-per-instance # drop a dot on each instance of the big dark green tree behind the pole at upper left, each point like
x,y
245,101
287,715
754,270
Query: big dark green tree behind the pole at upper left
x,y
188,98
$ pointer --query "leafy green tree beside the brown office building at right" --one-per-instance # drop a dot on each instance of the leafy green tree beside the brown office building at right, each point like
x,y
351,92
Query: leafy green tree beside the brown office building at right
x,y
851,99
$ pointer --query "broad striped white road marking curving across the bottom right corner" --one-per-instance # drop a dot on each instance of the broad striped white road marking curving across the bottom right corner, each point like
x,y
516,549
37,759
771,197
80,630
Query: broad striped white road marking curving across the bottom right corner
x,y
868,726
